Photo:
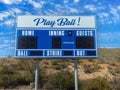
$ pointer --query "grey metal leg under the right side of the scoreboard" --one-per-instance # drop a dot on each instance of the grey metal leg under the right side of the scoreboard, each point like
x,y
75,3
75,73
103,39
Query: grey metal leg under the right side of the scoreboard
x,y
76,74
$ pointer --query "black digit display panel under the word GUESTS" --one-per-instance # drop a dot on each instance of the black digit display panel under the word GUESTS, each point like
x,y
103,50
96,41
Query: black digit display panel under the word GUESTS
x,y
85,42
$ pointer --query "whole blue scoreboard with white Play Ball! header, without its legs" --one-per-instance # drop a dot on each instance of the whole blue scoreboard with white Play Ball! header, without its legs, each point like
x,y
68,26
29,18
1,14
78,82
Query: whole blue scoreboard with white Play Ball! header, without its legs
x,y
55,37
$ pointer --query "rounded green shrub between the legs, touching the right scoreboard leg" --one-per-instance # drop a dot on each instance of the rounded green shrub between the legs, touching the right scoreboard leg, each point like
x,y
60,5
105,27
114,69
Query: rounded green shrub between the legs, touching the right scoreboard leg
x,y
61,81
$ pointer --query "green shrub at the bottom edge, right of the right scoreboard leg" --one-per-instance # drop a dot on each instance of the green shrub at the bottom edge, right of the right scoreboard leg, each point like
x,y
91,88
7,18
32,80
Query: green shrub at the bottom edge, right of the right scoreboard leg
x,y
95,84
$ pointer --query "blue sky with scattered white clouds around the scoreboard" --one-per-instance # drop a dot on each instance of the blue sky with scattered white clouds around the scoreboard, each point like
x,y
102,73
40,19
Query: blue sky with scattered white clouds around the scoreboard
x,y
107,14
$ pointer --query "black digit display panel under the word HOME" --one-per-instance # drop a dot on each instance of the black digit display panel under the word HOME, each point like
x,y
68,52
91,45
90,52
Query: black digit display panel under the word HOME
x,y
27,42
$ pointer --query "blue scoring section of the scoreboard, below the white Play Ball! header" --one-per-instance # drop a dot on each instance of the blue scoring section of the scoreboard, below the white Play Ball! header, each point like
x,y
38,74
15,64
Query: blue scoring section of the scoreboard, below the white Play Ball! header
x,y
73,43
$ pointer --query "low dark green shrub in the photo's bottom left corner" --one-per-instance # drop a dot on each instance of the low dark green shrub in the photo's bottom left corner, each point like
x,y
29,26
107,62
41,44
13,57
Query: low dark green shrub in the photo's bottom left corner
x,y
11,81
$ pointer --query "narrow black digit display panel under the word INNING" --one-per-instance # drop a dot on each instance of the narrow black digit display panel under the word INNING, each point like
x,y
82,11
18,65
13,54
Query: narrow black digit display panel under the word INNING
x,y
56,42
